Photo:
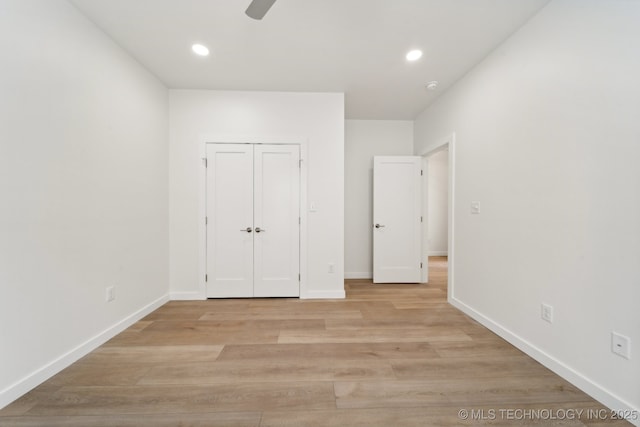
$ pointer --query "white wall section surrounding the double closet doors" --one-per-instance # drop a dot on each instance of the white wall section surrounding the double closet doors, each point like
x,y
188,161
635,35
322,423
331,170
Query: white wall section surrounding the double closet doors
x,y
316,117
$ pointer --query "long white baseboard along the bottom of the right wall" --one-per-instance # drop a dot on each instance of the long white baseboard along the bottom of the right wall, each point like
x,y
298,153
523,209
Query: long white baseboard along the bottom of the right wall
x,y
585,384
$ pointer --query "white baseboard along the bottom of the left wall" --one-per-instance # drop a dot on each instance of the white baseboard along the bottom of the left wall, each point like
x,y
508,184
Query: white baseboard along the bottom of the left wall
x,y
42,374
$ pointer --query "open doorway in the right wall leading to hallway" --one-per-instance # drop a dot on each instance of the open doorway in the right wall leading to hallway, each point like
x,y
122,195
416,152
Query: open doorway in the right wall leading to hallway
x,y
437,208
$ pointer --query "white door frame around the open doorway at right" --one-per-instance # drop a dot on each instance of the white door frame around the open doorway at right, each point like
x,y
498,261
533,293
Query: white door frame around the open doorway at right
x,y
449,142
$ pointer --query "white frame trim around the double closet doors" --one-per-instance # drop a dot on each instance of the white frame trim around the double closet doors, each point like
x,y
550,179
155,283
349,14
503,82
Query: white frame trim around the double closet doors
x,y
202,198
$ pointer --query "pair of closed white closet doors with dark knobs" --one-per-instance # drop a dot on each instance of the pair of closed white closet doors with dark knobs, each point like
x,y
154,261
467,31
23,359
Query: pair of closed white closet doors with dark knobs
x,y
253,214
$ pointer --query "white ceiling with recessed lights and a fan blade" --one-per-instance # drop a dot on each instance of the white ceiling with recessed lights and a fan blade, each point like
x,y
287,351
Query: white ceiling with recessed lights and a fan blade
x,y
352,46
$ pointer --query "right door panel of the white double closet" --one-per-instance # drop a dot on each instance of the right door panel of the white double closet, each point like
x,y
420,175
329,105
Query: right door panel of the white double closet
x,y
276,221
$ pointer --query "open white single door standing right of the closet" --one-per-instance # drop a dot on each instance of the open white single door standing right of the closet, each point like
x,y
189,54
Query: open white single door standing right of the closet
x,y
397,227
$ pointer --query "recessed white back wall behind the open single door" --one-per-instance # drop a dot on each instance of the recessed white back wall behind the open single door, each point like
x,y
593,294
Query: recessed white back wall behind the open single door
x,y
363,140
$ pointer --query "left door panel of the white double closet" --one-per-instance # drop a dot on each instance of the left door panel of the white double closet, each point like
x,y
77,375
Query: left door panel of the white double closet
x,y
229,220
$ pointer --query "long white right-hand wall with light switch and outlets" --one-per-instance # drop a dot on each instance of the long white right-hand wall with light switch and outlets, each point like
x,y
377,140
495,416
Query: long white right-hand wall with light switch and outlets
x,y
547,139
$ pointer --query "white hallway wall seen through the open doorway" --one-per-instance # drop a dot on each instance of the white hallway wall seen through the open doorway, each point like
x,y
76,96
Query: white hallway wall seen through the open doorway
x,y
437,216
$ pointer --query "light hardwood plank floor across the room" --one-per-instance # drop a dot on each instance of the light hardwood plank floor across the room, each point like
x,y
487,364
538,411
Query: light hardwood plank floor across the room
x,y
387,355
